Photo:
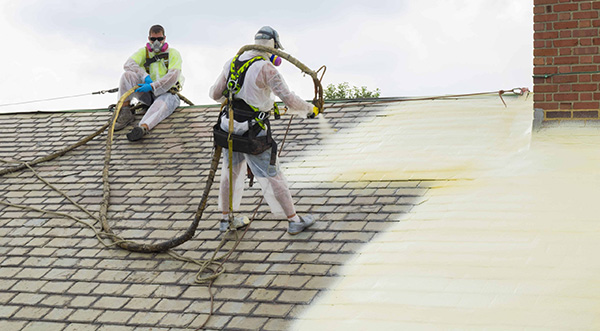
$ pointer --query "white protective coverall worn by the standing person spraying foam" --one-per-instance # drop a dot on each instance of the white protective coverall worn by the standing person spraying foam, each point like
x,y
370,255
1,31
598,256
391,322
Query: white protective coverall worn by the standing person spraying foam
x,y
262,78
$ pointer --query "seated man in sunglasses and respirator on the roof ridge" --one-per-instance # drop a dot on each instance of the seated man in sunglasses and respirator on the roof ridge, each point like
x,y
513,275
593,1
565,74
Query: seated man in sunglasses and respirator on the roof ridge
x,y
156,70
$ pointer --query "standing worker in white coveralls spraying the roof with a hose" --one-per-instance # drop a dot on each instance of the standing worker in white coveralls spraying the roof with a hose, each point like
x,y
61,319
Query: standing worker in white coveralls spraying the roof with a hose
x,y
252,102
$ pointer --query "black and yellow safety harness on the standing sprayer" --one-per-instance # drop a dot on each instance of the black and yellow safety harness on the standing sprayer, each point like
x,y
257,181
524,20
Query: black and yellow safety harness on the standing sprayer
x,y
243,112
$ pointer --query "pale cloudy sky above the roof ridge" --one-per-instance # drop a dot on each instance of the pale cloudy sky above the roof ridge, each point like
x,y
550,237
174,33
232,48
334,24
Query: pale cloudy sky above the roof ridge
x,y
55,48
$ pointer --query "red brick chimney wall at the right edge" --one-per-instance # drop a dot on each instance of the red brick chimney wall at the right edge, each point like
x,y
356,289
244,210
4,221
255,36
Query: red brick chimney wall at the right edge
x,y
567,59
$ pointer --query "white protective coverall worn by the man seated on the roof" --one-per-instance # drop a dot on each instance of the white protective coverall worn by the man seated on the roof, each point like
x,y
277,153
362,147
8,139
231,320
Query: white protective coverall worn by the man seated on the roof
x,y
162,103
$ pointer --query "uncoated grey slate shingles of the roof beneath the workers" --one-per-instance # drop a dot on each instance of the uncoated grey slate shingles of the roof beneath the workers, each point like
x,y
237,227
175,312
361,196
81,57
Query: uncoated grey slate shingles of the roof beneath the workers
x,y
54,275
